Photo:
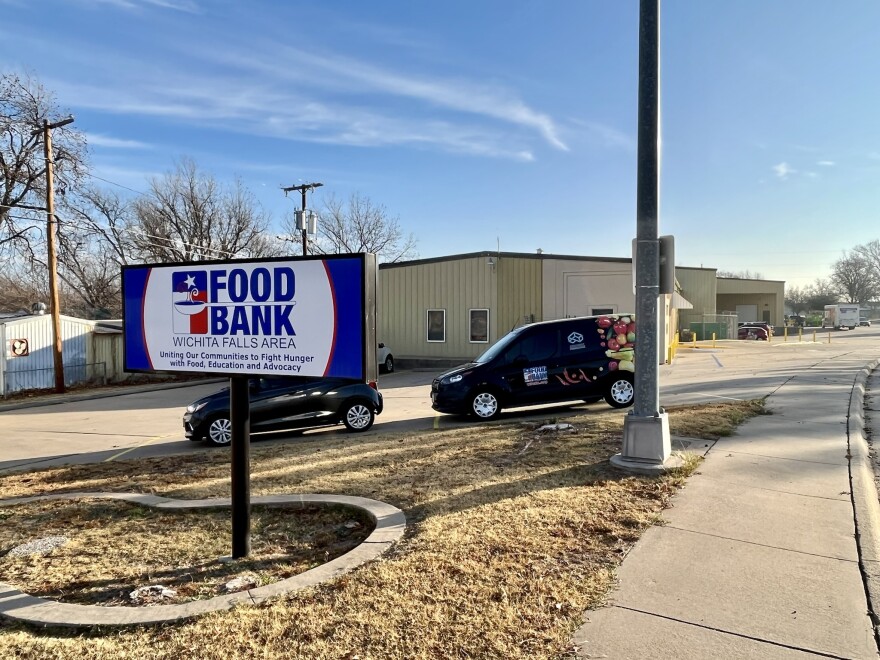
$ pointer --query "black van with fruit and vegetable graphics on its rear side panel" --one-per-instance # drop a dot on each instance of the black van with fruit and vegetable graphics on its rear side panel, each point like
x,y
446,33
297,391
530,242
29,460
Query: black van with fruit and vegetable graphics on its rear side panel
x,y
583,358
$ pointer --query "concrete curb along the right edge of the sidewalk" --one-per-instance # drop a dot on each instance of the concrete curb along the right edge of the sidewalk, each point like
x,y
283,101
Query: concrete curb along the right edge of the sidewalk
x,y
863,489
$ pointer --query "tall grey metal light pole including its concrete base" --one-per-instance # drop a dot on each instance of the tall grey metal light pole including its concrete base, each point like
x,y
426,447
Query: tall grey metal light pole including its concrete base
x,y
646,443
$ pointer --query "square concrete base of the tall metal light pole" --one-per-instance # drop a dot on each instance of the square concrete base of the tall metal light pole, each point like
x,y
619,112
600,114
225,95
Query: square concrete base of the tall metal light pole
x,y
647,447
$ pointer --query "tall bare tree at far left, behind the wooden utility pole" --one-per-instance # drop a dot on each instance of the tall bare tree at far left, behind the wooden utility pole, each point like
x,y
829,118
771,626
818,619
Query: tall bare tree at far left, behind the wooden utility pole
x,y
24,105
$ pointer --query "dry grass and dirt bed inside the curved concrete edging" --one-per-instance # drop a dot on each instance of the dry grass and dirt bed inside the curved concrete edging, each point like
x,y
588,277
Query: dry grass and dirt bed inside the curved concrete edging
x,y
113,548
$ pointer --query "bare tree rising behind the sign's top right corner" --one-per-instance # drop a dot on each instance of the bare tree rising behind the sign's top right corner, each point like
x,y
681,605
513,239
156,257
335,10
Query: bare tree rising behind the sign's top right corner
x,y
360,225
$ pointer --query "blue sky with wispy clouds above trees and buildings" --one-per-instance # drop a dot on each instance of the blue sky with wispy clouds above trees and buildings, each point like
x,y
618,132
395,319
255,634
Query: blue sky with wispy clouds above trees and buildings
x,y
479,123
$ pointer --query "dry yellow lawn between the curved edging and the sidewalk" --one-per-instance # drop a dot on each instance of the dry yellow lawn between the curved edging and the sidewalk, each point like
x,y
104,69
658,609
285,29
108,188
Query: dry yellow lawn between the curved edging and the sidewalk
x,y
512,534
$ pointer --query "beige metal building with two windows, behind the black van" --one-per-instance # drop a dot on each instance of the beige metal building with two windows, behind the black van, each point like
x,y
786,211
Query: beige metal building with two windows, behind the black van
x,y
447,310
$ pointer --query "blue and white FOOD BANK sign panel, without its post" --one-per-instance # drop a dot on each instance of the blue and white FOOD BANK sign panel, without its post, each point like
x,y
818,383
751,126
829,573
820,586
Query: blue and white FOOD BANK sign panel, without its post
x,y
292,317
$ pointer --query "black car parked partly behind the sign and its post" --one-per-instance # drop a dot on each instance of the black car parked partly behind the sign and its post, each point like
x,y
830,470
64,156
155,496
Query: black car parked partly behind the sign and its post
x,y
280,404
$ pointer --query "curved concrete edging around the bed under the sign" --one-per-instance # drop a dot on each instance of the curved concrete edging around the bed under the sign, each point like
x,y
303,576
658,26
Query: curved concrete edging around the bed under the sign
x,y
19,606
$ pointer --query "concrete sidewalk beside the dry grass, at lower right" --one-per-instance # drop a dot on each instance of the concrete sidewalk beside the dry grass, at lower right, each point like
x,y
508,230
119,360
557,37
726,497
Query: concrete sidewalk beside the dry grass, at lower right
x,y
758,557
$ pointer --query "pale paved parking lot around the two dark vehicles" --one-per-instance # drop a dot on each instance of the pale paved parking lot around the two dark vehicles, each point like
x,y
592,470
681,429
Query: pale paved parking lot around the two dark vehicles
x,y
148,423
